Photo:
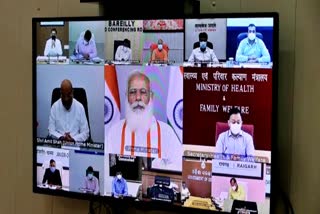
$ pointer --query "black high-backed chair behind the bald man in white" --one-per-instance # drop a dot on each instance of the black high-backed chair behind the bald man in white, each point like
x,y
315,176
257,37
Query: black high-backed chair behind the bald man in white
x,y
80,95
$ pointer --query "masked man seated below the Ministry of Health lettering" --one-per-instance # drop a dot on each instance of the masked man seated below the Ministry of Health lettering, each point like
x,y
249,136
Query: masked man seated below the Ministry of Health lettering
x,y
235,141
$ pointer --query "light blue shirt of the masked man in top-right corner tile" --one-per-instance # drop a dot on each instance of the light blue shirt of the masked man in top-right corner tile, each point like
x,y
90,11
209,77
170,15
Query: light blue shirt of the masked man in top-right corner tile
x,y
258,50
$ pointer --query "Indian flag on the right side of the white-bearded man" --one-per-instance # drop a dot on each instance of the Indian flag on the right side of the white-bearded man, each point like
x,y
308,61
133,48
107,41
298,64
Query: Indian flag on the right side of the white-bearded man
x,y
175,100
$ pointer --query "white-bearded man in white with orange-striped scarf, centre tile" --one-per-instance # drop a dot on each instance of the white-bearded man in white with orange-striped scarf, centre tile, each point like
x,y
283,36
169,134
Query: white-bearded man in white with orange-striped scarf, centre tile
x,y
140,133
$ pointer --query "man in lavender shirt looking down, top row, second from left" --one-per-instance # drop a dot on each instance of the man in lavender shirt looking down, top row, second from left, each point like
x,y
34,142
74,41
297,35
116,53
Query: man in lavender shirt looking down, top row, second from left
x,y
85,47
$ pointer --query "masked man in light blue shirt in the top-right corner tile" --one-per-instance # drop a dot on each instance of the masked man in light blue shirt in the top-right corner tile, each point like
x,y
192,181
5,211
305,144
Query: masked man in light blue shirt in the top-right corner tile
x,y
252,49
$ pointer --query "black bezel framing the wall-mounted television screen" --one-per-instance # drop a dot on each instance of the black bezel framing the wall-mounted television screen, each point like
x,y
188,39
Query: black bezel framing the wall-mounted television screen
x,y
159,205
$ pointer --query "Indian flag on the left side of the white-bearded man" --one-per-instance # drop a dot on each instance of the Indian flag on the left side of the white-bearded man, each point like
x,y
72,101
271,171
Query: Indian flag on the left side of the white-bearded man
x,y
111,97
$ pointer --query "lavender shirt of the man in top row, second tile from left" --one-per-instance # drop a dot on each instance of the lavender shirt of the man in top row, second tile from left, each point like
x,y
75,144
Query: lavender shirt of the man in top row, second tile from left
x,y
82,47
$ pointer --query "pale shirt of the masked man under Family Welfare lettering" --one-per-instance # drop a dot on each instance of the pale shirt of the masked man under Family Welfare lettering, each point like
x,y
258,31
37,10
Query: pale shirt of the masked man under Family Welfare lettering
x,y
242,144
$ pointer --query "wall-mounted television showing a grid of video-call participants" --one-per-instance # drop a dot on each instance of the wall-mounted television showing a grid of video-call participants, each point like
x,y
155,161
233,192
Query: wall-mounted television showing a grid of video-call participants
x,y
174,110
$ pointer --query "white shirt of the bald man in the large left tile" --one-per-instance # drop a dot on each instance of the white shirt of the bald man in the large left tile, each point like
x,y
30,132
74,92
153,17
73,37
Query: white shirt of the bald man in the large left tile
x,y
73,121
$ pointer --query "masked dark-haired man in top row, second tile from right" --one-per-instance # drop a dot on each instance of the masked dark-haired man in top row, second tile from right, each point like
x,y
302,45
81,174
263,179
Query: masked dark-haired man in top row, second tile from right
x,y
203,53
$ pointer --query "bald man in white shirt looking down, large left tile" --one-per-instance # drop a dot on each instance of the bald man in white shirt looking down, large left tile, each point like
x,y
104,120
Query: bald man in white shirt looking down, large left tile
x,y
68,119
